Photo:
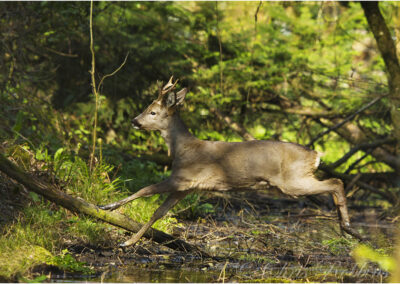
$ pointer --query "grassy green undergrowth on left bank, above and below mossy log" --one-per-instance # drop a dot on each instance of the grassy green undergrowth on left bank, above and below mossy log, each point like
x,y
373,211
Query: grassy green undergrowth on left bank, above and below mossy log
x,y
42,231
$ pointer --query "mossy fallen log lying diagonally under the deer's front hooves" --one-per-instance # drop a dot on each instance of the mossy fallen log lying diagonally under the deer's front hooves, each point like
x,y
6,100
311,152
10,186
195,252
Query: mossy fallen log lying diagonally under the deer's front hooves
x,y
79,205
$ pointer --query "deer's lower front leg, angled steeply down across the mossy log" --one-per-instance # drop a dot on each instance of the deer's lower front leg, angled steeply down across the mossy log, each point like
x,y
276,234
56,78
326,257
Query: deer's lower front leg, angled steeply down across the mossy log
x,y
170,202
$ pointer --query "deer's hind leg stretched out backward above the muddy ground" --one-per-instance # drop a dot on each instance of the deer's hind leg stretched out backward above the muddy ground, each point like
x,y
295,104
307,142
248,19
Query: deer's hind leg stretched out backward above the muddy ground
x,y
310,186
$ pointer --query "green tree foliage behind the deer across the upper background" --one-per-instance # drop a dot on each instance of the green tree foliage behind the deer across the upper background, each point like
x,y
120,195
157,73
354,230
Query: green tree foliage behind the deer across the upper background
x,y
297,55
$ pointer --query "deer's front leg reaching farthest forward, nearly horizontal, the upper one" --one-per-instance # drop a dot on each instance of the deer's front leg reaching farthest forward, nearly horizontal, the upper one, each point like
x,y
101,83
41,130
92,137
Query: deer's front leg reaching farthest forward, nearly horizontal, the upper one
x,y
161,187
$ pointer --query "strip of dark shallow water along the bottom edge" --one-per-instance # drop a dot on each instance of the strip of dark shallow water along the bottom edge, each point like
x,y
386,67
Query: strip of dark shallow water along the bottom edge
x,y
236,272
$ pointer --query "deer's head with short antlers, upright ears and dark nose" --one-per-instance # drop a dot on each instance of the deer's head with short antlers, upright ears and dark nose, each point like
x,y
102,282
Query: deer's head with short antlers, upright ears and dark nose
x,y
158,114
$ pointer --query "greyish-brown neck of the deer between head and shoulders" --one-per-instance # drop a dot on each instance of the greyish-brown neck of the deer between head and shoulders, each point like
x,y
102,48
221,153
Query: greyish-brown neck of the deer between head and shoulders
x,y
177,136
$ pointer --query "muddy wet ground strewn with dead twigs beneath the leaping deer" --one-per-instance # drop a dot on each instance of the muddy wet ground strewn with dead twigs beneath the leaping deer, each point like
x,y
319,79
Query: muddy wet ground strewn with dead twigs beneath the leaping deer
x,y
254,238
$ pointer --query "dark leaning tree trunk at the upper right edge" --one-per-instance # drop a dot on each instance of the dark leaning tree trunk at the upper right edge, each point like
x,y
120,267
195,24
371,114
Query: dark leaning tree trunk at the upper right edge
x,y
387,49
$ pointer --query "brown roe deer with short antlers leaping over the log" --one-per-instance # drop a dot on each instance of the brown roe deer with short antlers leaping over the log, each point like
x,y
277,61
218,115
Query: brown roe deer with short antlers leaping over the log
x,y
221,166
